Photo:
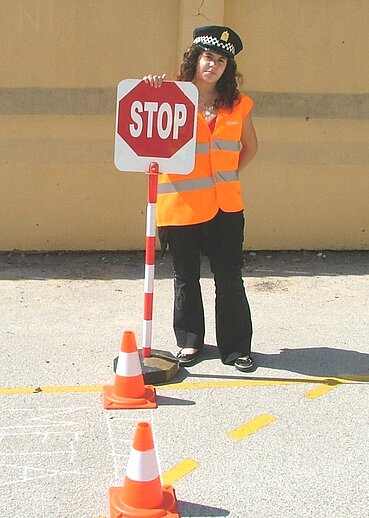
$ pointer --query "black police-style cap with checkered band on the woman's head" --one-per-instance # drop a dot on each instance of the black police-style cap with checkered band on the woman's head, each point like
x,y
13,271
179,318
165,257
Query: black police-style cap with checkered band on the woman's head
x,y
222,40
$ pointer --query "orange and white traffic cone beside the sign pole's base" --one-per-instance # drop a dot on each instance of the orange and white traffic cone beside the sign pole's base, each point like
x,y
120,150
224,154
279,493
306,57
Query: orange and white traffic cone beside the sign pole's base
x,y
129,390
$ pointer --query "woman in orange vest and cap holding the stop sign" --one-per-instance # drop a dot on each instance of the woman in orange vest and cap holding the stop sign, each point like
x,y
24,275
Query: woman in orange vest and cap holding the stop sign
x,y
203,212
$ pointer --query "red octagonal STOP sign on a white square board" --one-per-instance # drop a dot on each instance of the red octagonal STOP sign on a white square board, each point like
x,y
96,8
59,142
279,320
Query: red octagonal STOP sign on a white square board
x,y
156,124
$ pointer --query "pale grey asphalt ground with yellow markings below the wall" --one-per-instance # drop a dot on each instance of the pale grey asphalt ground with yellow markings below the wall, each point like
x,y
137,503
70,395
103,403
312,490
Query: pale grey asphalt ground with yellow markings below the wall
x,y
288,440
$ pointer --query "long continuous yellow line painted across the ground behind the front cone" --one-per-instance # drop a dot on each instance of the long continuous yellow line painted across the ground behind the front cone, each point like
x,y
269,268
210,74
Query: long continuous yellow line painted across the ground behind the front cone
x,y
194,385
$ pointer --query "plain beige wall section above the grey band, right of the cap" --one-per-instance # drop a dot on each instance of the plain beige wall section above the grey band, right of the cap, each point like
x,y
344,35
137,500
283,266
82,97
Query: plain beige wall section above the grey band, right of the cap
x,y
303,45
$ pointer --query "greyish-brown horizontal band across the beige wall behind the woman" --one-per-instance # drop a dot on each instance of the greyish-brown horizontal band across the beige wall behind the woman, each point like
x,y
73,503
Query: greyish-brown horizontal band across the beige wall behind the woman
x,y
101,101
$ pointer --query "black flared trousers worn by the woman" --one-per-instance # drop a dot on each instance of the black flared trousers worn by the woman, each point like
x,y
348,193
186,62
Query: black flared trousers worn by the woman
x,y
221,240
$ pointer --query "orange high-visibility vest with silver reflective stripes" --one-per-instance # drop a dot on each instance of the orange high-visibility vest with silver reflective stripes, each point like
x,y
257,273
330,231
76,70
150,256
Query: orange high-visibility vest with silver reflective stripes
x,y
214,183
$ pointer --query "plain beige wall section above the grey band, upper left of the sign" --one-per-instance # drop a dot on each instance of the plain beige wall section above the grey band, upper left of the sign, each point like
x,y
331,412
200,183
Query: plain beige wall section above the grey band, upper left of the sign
x,y
85,43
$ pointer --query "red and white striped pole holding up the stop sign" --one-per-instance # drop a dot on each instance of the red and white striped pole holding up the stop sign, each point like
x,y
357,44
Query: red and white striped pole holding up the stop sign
x,y
152,193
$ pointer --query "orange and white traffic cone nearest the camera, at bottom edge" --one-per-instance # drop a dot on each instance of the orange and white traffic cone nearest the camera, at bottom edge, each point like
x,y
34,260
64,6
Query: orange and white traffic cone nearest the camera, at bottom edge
x,y
142,495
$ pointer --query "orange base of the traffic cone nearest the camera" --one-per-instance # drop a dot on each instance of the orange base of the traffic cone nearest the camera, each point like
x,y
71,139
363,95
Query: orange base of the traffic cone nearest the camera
x,y
119,509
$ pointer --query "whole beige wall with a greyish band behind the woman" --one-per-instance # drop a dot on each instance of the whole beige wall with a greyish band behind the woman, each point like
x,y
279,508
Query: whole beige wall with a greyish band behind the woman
x,y
305,65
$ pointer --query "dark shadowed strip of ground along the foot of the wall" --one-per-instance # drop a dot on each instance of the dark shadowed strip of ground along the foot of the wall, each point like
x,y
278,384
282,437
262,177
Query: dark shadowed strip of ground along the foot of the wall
x,y
131,265
